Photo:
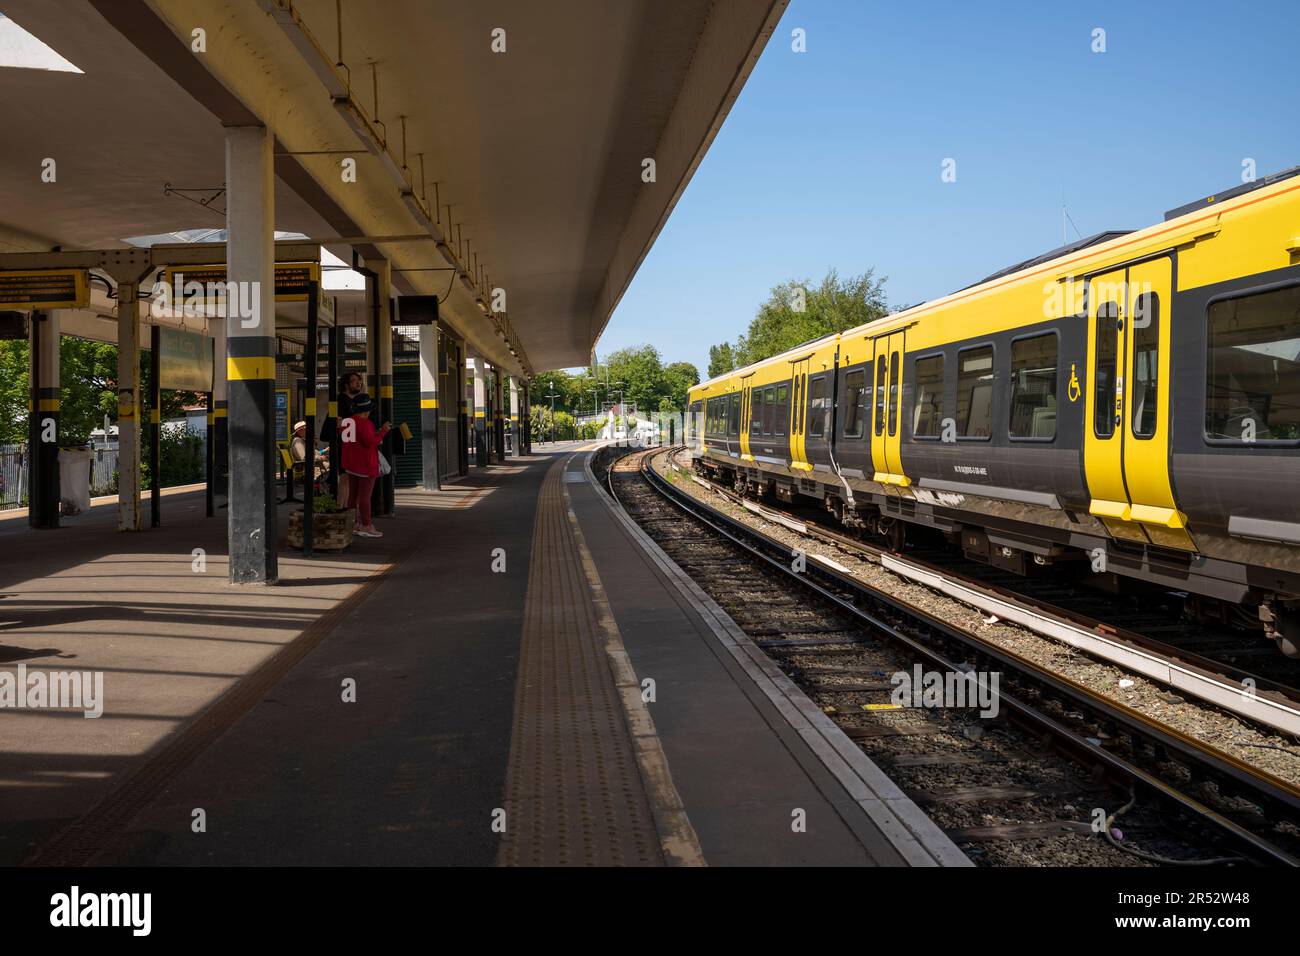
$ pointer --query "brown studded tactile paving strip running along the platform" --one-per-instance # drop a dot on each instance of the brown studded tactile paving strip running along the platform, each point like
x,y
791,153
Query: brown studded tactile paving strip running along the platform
x,y
574,790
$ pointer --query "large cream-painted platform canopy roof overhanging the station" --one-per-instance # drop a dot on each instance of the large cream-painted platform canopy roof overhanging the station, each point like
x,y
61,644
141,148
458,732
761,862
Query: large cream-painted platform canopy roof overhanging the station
x,y
534,120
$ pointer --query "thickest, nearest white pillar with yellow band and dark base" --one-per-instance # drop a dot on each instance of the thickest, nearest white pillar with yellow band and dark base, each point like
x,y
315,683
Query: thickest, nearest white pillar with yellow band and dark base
x,y
252,353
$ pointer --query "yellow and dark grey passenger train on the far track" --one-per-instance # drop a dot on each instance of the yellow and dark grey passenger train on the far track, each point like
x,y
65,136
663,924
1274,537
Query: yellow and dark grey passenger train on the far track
x,y
1132,400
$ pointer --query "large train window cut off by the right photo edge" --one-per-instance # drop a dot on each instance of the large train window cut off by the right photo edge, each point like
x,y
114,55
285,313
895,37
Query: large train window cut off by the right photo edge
x,y
1253,384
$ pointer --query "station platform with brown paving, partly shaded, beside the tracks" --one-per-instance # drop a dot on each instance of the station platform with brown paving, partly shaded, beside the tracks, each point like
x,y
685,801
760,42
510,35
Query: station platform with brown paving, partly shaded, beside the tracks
x,y
469,690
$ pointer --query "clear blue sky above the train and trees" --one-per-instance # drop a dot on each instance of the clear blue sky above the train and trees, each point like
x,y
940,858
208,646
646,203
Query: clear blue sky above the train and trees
x,y
831,158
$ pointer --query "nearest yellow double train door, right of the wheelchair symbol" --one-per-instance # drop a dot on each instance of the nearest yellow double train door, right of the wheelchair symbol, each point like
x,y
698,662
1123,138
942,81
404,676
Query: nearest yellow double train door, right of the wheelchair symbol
x,y
1126,436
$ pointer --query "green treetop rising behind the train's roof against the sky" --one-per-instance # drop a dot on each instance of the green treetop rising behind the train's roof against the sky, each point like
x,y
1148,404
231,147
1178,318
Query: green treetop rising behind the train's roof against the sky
x,y
798,313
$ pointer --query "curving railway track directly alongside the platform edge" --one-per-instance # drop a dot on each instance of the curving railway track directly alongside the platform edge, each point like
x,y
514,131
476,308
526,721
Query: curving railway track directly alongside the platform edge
x,y
1060,776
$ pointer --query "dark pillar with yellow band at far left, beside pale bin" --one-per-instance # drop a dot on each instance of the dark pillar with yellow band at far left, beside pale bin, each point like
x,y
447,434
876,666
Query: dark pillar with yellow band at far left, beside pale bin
x,y
44,491
